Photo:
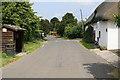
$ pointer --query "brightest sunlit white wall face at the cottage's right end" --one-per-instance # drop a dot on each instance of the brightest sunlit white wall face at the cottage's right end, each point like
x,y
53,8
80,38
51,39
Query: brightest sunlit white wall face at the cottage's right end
x,y
113,39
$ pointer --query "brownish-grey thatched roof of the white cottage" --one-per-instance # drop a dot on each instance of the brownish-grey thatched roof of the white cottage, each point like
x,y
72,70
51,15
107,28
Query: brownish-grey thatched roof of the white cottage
x,y
104,11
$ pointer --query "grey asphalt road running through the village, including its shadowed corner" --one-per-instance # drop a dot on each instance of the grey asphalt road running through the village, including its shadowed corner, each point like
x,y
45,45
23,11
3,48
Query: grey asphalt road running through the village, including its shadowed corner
x,y
59,59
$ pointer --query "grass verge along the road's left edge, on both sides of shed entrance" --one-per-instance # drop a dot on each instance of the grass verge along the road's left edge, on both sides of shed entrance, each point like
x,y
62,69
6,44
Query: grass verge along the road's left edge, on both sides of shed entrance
x,y
28,48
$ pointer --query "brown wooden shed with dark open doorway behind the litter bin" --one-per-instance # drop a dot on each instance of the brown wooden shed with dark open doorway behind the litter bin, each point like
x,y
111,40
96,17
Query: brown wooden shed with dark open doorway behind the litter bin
x,y
12,34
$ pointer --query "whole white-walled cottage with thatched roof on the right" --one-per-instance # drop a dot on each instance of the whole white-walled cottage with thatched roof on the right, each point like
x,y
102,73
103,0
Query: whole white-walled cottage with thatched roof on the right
x,y
106,31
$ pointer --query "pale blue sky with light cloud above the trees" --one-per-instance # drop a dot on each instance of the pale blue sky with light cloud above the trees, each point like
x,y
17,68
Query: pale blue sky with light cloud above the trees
x,y
58,8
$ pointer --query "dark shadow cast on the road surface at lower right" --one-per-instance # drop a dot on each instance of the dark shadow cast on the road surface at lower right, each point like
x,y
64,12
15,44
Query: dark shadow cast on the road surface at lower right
x,y
100,70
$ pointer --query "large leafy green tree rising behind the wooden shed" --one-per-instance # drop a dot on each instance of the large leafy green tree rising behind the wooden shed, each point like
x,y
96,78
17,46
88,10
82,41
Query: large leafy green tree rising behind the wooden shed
x,y
21,14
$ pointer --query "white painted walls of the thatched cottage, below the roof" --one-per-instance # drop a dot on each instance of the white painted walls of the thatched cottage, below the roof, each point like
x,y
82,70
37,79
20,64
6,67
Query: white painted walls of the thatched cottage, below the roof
x,y
110,38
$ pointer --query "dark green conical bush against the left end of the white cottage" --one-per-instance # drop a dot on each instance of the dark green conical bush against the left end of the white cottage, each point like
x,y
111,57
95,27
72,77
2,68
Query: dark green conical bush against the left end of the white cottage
x,y
89,35
